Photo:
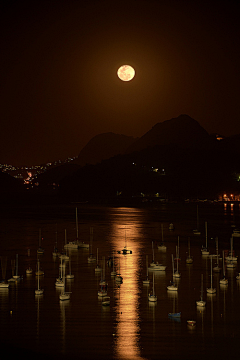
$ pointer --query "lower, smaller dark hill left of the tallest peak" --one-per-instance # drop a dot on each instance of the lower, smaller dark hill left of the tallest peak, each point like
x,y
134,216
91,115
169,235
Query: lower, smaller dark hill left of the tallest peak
x,y
104,146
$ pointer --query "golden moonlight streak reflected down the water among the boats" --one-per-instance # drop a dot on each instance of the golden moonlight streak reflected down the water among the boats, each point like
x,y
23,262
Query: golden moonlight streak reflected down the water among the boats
x,y
128,296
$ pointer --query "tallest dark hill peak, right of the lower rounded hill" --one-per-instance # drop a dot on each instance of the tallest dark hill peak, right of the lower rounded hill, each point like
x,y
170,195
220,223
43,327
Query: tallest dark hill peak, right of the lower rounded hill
x,y
182,131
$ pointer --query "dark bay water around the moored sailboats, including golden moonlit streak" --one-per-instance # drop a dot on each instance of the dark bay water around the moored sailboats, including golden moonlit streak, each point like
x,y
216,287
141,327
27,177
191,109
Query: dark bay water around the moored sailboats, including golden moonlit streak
x,y
131,327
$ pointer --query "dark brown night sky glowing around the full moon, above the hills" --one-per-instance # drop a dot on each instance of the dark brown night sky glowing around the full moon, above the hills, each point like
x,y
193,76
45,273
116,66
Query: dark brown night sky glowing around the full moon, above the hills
x,y
59,61
